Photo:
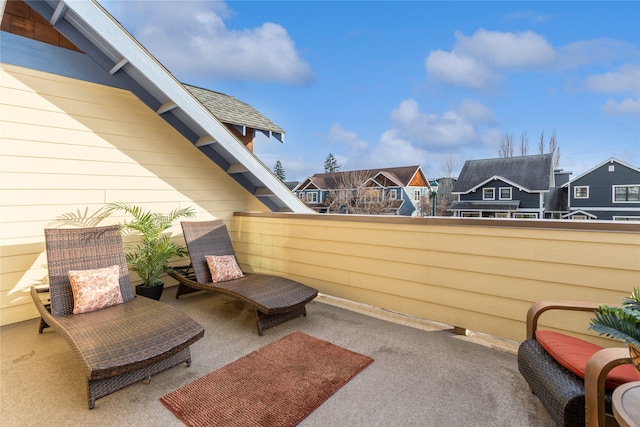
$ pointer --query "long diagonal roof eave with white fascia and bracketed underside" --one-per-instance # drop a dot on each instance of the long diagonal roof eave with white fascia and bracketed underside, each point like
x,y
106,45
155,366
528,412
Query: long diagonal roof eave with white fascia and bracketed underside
x,y
128,56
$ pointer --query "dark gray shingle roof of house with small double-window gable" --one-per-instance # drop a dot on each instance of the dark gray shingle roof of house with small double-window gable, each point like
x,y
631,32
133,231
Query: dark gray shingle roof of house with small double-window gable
x,y
532,173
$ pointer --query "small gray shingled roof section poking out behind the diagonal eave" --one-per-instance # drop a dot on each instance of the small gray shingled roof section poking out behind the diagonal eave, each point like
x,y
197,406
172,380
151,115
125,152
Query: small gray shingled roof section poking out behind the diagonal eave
x,y
230,110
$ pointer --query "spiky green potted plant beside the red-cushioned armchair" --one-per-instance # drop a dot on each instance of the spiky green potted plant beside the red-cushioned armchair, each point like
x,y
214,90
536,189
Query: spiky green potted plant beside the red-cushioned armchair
x,y
621,323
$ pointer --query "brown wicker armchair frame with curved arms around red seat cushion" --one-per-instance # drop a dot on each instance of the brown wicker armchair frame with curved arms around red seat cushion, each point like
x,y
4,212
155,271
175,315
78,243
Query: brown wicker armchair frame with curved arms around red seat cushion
x,y
569,399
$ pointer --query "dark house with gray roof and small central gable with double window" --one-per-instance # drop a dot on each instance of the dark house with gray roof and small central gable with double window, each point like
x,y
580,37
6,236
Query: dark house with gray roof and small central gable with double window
x,y
506,187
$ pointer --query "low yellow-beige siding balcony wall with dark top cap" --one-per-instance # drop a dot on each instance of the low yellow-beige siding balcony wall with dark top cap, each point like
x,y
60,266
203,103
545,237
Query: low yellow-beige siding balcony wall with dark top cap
x,y
477,274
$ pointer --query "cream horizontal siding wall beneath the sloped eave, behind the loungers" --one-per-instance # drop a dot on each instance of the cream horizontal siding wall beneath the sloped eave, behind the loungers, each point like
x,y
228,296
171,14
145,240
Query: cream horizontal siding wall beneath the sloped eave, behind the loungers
x,y
68,146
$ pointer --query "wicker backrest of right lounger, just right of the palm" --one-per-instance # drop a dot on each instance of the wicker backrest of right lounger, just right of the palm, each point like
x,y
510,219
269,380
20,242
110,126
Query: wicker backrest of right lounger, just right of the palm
x,y
206,238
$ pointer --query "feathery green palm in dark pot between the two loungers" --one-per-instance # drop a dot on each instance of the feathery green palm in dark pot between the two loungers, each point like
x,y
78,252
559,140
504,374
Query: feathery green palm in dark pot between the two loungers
x,y
149,257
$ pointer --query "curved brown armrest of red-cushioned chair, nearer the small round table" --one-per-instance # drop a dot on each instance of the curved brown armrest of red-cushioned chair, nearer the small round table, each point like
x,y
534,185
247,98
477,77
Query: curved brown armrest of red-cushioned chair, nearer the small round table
x,y
598,367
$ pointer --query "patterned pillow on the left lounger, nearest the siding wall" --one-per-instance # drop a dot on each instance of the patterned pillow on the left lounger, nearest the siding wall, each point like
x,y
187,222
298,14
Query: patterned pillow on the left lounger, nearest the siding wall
x,y
95,289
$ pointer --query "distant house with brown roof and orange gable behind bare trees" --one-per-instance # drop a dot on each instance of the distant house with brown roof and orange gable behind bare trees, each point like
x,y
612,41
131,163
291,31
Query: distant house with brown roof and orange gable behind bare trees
x,y
391,191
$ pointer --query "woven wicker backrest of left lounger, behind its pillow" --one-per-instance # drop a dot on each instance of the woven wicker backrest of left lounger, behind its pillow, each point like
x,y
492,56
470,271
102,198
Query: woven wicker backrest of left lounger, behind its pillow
x,y
82,249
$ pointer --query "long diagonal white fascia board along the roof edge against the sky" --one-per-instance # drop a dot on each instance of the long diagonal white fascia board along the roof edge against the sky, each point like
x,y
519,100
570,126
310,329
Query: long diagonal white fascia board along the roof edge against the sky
x,y
104,25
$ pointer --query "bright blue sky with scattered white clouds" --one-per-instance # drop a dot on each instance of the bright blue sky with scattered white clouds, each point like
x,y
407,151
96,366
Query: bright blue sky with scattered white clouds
x,y
385,84
